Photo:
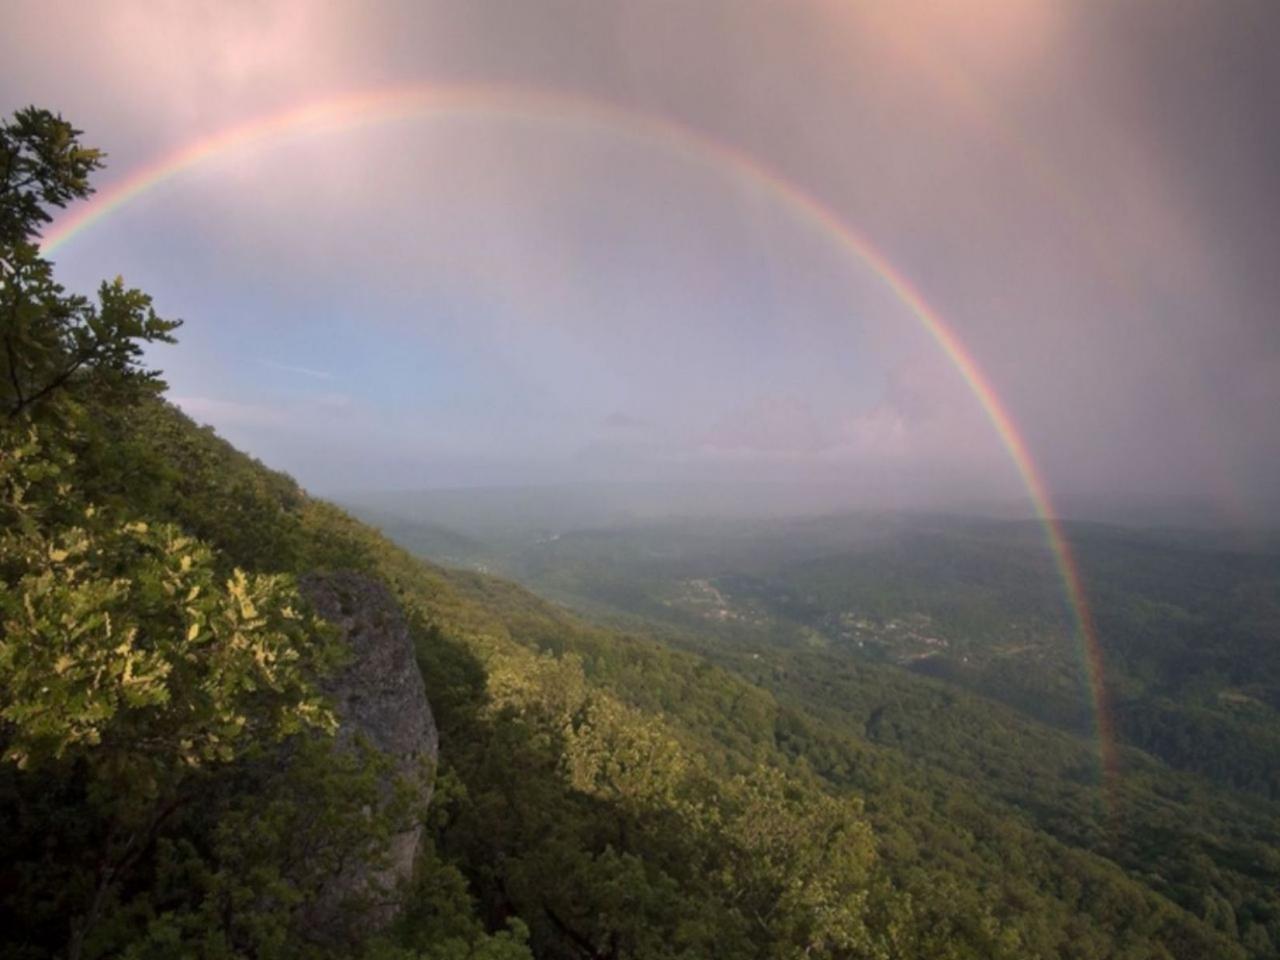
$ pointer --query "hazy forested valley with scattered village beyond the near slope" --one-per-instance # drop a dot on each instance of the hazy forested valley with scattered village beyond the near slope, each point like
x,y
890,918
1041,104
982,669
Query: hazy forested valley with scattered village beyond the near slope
x,y
958,662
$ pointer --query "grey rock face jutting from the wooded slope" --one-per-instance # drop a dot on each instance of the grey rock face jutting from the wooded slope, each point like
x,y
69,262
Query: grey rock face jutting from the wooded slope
x,y
380,698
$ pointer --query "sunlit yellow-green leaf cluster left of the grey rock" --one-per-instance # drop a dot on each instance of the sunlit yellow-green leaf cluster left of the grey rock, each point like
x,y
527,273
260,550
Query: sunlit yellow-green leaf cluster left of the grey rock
x,y
122,648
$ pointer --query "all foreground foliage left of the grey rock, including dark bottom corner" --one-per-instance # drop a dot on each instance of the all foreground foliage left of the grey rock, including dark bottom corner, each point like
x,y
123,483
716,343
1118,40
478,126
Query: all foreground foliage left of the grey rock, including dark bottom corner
x,y
148,684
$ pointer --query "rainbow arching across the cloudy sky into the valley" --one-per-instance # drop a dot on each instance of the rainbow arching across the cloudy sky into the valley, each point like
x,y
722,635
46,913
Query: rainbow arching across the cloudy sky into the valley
x,y
383,106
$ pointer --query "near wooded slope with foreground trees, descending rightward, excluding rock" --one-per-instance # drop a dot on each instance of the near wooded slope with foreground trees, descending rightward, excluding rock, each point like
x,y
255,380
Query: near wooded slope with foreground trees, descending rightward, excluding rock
x,y
601,792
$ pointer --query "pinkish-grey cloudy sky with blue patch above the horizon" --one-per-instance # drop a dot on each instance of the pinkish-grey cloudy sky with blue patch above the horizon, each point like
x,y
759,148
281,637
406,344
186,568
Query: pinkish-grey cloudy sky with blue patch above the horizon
x,y
593,241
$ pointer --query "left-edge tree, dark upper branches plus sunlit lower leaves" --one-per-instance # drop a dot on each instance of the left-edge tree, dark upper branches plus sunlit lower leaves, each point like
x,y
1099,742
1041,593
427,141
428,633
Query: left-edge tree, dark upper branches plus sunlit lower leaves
x,y
135,662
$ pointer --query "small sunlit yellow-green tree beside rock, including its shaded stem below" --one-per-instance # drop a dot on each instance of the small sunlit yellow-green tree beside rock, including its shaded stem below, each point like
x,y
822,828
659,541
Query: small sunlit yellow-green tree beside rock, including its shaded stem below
x,y
130,669
